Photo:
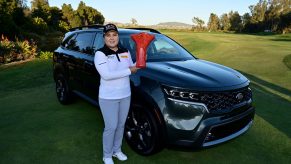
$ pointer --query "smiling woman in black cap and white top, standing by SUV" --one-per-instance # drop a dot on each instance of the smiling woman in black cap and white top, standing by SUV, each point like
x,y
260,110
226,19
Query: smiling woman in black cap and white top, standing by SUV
x,y
114,65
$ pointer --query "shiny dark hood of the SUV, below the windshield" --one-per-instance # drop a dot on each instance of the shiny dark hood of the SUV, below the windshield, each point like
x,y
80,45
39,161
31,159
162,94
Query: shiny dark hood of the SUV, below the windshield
x,y
198,74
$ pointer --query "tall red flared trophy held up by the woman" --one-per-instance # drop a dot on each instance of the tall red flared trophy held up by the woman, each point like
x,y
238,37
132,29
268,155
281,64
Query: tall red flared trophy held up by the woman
x,y
142,41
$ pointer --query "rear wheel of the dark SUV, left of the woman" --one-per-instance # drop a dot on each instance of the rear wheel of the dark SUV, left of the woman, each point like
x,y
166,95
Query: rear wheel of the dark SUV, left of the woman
x,y
63,92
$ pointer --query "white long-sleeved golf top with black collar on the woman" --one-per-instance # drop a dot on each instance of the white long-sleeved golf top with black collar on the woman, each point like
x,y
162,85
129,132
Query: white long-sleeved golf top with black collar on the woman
x,y
114,71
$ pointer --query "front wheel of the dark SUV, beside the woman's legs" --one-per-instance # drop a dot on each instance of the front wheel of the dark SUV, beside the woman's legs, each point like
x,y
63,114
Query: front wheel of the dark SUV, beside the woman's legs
x,y
143,133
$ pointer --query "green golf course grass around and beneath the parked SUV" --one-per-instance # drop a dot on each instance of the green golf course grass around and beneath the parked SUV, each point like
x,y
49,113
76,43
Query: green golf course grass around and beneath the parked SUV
x,y
35,128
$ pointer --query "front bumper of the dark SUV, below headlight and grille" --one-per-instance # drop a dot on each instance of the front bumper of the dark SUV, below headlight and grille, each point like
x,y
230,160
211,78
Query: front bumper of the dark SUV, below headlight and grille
x,y
209,129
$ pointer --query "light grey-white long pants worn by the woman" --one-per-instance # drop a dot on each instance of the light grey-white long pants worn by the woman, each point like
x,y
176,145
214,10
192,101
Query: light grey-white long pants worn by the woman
x,y
114,113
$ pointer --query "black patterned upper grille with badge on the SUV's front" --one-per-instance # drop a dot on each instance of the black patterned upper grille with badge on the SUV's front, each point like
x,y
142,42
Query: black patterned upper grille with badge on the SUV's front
x,y
225,101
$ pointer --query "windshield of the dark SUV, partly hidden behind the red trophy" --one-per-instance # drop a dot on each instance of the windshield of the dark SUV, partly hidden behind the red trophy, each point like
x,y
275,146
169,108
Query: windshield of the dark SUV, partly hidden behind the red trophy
x,y
161,48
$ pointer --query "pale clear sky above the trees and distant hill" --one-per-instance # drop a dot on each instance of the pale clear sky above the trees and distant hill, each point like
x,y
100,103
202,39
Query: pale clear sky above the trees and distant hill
x,y
152,12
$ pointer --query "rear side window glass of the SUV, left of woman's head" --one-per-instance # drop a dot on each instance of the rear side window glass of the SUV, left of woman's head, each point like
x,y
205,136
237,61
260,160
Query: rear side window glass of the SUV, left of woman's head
x,y
82,42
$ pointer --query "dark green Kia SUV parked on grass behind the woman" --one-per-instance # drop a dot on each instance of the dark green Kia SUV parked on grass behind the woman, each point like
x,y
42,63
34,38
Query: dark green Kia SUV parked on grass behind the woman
x,y
177,99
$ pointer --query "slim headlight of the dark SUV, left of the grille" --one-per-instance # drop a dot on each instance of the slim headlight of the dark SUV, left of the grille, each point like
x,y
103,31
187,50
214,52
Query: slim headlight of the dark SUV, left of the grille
x,y
179,93
